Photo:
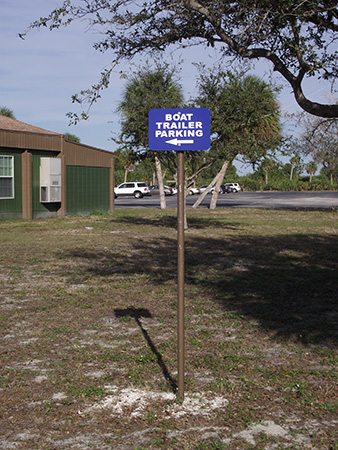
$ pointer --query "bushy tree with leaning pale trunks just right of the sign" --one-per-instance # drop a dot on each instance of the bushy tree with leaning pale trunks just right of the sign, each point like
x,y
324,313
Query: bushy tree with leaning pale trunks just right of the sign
x,y
245,119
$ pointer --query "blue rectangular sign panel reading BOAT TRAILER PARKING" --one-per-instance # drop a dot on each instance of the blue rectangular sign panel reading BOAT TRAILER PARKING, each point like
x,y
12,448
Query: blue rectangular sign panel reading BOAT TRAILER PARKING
x,y
179,129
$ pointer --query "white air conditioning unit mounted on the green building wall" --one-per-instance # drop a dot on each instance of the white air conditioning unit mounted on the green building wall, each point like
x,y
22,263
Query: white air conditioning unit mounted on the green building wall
x,y
50,180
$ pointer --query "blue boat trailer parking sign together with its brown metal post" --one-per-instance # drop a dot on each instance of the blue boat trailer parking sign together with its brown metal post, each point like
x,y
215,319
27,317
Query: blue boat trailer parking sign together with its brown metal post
x,y
180,130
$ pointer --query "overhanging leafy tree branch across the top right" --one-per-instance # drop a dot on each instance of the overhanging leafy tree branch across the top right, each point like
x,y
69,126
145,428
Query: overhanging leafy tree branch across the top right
x,y
298,37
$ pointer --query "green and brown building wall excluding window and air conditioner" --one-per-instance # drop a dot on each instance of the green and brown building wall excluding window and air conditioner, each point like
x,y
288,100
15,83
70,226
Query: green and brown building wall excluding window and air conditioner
x,y
87,176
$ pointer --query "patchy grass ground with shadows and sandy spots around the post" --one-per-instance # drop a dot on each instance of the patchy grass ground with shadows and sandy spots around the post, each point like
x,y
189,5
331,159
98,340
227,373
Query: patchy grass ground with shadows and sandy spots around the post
x,y
88,331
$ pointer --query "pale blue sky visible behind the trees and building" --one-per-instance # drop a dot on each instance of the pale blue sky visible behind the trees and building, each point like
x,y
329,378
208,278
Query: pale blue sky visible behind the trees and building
x,y
39,75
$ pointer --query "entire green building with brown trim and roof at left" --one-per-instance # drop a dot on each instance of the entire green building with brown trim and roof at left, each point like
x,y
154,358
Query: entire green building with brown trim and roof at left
x,y
44,175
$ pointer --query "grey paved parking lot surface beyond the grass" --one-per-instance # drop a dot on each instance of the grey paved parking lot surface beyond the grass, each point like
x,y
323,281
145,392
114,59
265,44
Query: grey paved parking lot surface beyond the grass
x,y
280,200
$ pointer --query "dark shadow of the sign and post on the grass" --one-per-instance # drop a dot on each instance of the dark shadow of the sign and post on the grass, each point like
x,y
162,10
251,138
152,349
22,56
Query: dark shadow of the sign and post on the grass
x,y
137,314
